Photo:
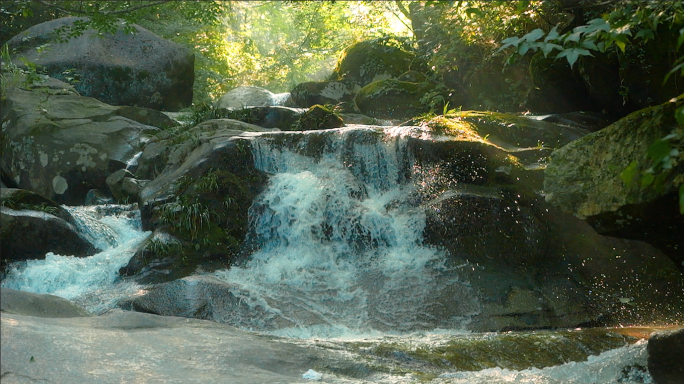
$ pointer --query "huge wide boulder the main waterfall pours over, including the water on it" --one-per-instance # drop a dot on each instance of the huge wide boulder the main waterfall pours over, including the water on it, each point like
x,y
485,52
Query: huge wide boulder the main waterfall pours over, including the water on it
x,y
511,261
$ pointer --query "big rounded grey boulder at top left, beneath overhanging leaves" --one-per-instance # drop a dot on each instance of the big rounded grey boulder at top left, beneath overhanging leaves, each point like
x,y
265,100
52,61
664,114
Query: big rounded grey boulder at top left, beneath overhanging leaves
x,y
136,69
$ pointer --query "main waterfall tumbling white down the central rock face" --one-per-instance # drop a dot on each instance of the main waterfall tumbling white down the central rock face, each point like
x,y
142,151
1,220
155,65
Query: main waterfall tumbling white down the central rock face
x,y
340,242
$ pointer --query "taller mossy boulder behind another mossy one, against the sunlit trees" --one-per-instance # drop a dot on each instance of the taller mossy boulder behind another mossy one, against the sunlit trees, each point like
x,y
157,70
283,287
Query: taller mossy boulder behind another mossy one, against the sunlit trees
x,y
368,61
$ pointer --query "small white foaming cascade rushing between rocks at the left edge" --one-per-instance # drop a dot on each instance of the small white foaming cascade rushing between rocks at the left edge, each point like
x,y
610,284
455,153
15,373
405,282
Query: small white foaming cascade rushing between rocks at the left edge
x,y
87,280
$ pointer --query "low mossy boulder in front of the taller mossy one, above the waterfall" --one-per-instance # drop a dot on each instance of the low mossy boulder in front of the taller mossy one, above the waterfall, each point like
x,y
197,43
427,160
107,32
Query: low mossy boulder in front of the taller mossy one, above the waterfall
x,y
392,99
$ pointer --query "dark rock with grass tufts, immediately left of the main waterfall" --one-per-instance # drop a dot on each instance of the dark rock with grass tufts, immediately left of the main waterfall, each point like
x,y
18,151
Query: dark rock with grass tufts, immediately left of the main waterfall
x,y
200,198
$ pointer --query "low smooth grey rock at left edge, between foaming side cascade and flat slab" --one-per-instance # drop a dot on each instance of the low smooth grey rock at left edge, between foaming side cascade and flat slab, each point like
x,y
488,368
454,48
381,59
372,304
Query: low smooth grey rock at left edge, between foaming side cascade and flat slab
x,y
32,304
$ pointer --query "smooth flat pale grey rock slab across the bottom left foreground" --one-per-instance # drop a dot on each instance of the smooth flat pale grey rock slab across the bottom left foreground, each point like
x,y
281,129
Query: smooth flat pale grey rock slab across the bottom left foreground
x,y
135,348
